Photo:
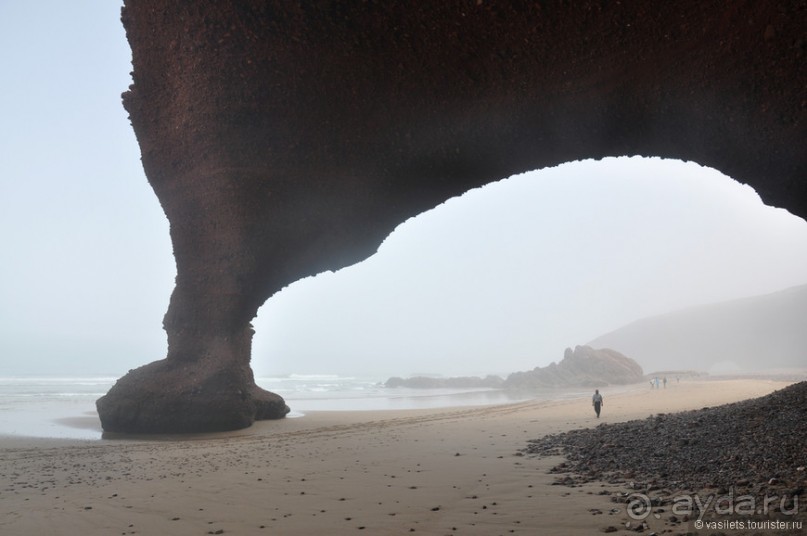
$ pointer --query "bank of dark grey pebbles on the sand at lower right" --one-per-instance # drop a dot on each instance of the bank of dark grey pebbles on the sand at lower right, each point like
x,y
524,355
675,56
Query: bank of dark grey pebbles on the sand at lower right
x,y
755,448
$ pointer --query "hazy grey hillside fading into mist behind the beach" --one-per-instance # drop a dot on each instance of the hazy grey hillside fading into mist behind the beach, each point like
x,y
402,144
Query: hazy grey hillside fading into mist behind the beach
x,y
758,333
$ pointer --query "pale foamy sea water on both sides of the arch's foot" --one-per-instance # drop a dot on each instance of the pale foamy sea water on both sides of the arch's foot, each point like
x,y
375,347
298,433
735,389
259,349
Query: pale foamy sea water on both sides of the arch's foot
x,y
64,407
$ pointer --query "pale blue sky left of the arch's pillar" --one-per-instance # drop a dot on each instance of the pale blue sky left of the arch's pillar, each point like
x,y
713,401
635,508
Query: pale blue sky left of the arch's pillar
x,y
87,266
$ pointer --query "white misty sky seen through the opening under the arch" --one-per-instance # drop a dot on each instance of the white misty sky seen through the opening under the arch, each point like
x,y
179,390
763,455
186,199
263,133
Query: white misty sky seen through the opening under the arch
x,y
506,277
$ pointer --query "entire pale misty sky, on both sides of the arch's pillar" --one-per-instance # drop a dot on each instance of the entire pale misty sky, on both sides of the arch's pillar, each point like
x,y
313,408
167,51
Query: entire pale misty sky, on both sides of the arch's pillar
x,y
501,279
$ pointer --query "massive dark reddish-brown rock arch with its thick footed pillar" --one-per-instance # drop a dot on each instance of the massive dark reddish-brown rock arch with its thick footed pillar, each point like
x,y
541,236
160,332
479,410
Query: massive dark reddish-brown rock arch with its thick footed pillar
x,y
284,139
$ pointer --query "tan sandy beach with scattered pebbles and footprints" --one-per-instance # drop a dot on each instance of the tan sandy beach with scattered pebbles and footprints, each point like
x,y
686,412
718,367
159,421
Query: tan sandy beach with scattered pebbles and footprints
x,y
440,471
